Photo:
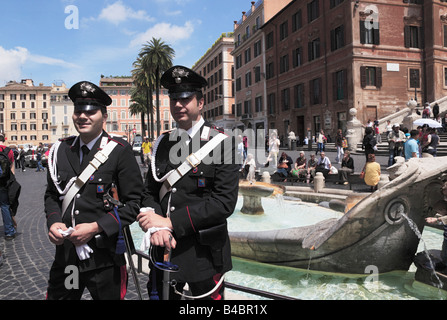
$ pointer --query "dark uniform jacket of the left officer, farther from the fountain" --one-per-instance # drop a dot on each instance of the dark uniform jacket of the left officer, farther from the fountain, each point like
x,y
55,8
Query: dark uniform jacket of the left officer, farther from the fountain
x,y
122,169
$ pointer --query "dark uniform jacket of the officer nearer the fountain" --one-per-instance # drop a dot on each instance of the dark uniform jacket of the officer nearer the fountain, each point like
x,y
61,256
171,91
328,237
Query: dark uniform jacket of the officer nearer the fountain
x,y
200,203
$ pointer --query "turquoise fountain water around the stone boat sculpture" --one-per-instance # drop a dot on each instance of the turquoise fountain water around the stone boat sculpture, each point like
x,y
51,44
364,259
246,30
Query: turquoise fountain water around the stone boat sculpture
x,y
312,285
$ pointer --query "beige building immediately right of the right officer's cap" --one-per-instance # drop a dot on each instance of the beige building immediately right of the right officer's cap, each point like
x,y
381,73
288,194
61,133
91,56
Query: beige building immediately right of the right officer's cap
x,y
217,67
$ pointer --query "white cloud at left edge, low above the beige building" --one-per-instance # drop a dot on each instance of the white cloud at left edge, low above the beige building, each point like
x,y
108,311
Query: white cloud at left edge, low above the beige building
x,y
13,61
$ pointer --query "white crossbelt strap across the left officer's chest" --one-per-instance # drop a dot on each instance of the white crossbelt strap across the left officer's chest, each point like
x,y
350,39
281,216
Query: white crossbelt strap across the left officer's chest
x,y
100,157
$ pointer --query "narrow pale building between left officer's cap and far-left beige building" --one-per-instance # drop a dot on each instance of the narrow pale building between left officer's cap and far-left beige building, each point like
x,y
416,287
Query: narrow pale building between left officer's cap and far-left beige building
x,y
61,110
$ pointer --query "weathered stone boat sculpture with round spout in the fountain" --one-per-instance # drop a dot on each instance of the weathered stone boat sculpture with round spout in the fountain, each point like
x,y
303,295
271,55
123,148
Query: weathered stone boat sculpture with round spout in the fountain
x,y
372,234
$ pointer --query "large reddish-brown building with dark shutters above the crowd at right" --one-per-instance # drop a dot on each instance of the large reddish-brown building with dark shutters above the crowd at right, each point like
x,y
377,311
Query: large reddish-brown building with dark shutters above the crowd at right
x,y
324,57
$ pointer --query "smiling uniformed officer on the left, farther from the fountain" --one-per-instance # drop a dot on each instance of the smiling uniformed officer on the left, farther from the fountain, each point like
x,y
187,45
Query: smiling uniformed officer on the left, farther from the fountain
x,y
91,247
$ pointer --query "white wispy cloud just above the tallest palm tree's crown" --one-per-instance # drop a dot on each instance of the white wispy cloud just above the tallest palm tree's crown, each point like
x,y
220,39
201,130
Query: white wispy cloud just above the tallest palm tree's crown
x,y
169,33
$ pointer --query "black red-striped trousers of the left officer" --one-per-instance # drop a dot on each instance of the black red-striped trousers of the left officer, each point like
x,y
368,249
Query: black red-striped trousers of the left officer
x,y
108,283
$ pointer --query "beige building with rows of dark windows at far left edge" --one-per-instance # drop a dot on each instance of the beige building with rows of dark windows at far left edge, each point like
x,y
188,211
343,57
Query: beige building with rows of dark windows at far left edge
x,y
24,113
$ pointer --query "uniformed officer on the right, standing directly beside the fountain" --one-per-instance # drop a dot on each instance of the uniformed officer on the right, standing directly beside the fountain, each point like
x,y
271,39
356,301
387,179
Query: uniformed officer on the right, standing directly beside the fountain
x,y
197,206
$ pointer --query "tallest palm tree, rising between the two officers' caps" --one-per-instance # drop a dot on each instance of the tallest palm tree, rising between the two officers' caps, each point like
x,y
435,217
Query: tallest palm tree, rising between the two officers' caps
x,y
156,58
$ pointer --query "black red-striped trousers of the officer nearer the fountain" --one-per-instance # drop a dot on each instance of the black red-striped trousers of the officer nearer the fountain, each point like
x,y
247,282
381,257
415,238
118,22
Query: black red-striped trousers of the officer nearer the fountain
x,y
155,287
